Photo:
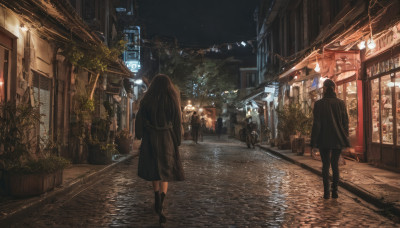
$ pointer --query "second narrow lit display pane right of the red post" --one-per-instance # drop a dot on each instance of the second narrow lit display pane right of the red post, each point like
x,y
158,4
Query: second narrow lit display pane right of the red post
x,y
386,109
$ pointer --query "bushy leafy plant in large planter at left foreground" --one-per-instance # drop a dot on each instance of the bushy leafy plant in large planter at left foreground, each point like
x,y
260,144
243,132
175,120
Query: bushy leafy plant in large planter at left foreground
x,y
29,166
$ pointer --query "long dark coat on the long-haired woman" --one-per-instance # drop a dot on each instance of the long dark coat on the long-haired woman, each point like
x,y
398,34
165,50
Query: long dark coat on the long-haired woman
x,y
158,124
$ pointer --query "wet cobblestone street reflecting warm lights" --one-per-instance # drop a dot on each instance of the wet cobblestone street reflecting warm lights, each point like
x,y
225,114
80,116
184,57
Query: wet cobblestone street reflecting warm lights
x,y
227,185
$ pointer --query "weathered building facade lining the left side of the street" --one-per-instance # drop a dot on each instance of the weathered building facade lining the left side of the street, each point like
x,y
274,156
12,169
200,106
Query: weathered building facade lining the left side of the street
x,y
35,67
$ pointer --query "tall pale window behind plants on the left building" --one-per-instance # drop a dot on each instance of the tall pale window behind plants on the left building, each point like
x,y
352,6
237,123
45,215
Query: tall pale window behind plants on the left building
x,y
42,96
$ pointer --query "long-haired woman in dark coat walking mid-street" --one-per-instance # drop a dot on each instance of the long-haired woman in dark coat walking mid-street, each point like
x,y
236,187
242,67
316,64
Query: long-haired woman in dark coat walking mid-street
x,y
158,124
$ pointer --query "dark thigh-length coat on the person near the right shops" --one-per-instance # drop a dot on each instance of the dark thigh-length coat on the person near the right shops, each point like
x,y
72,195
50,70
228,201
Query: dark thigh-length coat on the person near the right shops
x,y
331,124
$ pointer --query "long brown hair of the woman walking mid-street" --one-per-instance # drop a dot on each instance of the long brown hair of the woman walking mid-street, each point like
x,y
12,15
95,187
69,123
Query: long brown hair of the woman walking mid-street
x,y
162,86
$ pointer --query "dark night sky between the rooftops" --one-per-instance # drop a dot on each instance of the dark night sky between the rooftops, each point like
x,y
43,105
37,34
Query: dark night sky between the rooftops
x,y
199,23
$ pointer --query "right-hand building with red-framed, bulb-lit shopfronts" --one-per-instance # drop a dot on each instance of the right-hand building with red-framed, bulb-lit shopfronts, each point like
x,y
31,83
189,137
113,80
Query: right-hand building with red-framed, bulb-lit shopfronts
x,y
354,43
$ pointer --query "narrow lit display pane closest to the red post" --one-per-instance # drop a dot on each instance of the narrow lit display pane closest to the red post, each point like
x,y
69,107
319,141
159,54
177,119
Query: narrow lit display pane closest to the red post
x,y
375,107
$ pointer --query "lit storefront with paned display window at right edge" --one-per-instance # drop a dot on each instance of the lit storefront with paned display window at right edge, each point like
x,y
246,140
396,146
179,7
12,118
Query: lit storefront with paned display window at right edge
x,y
383,78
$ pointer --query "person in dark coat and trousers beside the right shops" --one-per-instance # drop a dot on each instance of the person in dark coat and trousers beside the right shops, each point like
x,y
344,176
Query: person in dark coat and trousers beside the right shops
x,y
330,134
